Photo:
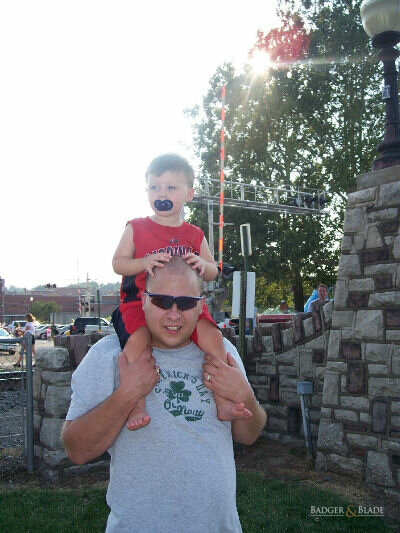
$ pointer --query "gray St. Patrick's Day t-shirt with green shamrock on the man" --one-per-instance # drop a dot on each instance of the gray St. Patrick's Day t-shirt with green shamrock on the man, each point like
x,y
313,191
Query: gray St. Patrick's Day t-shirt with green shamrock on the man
x,y
178,473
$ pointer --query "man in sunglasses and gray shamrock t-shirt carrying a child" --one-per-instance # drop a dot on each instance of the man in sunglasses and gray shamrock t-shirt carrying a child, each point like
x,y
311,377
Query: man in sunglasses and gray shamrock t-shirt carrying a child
x,y
176,474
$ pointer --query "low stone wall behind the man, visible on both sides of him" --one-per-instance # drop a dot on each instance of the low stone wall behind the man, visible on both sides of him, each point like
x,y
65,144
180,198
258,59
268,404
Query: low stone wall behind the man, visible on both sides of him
x,y
278,357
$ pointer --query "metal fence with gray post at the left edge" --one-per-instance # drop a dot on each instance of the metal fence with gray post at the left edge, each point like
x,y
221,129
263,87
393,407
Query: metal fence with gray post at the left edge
x,y
16,403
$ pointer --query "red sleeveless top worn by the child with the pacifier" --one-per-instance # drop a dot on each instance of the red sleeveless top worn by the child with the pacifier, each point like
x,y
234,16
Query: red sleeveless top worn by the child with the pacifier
x,y
152,238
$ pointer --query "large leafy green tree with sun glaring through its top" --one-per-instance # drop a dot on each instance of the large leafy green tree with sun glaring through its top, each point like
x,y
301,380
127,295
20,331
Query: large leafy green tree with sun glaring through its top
x,y
306,123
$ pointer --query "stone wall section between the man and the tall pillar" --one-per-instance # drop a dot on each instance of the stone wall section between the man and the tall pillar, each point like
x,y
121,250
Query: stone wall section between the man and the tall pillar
x,y
279,357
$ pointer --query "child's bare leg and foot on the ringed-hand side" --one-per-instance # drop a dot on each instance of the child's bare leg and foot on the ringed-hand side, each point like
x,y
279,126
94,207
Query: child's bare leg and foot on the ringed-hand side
x,y
210,340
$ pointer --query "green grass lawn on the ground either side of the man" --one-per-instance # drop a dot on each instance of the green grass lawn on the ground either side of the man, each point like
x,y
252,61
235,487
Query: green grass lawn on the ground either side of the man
x,y
268,506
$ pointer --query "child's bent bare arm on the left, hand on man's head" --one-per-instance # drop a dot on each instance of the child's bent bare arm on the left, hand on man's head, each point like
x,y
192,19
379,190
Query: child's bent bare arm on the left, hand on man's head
x,y
123,262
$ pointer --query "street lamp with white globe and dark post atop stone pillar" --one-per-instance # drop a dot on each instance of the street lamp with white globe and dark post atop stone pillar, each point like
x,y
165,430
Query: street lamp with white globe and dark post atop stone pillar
x,y
381,21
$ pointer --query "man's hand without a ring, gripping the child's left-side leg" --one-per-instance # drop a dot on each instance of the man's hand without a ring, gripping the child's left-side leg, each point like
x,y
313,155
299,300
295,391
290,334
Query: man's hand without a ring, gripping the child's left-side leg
x,y
139,377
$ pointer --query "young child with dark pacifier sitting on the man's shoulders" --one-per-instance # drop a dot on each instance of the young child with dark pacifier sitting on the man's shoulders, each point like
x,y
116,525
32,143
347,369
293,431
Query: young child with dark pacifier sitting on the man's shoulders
x,y
150,242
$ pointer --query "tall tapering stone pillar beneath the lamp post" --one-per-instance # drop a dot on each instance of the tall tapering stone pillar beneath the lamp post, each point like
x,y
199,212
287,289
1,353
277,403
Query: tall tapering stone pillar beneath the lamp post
x,y
359,431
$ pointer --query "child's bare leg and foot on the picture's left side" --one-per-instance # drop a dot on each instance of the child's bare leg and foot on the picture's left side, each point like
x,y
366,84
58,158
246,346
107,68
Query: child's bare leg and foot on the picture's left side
x,y
133,348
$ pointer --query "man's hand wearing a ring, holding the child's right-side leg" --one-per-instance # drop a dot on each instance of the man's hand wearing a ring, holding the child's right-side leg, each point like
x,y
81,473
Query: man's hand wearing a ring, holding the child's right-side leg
x,y
226,379
